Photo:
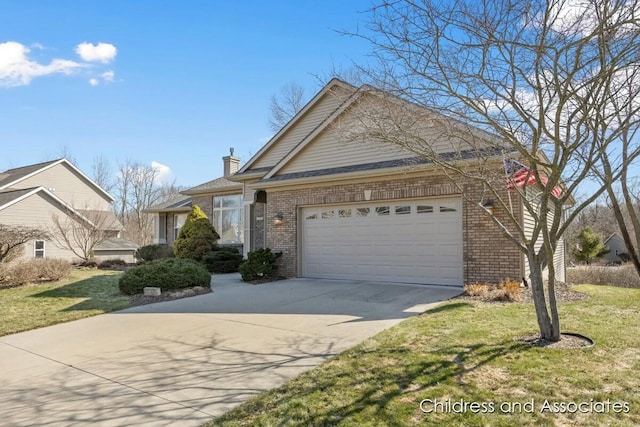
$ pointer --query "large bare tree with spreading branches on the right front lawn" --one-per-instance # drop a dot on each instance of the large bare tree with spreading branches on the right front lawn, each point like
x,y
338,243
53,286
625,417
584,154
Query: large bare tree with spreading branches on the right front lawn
x,y
550,84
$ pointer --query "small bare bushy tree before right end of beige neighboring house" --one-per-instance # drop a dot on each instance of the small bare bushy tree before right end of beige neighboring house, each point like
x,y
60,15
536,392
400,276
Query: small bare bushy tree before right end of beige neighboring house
x,y
82,232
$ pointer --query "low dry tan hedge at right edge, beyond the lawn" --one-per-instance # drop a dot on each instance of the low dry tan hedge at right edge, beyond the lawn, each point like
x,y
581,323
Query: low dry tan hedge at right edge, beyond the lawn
x,y
623,276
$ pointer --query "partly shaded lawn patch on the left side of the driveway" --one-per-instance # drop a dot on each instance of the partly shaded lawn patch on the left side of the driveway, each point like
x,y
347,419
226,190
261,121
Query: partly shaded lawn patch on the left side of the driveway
x,y
85,293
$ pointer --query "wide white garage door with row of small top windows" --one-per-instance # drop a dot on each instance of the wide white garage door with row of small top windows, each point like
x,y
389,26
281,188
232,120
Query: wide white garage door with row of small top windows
x,y
410,242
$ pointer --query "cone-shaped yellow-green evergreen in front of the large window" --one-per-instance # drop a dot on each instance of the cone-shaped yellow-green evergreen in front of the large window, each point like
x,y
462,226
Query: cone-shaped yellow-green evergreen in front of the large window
x,y
197,236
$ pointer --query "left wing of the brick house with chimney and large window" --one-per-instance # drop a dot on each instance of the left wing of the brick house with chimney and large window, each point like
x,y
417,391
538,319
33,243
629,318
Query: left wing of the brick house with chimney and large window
x,y
220,199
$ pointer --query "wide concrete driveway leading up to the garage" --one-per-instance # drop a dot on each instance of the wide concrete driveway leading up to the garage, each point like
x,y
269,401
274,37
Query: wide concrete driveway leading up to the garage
x,y
183,362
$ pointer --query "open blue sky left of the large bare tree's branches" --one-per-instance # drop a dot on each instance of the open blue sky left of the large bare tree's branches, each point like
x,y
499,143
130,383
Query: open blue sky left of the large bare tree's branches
x,y
172,82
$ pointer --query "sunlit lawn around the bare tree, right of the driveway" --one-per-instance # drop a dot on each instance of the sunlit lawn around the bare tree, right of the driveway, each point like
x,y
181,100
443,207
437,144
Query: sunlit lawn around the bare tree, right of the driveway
x,y
467,351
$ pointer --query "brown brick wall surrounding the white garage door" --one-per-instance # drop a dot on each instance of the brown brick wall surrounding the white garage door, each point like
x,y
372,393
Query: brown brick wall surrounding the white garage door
x,y
488,256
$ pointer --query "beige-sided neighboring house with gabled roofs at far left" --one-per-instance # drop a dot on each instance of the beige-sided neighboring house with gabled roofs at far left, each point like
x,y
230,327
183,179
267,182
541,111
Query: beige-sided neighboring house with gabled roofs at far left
x,y
33,195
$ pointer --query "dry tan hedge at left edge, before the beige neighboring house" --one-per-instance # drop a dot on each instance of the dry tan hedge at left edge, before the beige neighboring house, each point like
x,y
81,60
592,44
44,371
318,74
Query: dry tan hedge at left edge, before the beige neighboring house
x,y
33,271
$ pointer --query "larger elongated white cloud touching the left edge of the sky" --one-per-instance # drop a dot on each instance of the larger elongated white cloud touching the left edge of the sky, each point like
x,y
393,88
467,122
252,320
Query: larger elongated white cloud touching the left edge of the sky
x,y
16,69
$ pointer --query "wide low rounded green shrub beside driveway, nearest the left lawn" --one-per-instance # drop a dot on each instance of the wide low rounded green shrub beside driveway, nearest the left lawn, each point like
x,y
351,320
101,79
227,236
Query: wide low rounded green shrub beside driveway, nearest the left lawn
x,y
166,274
